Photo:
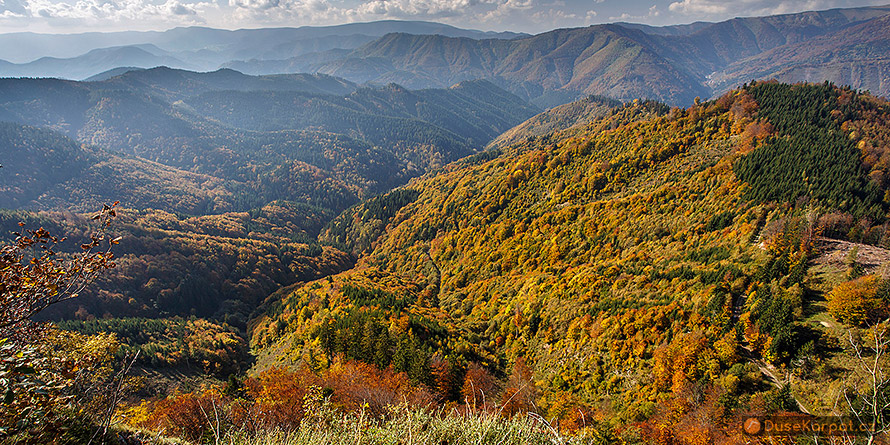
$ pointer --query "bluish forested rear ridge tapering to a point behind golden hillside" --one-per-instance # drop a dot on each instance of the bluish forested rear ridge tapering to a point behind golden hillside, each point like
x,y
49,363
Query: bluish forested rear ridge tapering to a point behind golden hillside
x,y
455,120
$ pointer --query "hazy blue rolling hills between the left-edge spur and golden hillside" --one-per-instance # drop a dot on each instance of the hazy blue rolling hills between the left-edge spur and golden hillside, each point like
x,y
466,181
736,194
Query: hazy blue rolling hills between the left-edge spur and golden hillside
x,y
237,127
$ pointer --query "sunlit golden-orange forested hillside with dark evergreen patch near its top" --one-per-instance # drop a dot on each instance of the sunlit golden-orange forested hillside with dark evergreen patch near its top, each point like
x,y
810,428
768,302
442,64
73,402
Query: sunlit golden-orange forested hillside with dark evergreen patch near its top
x,y
644,266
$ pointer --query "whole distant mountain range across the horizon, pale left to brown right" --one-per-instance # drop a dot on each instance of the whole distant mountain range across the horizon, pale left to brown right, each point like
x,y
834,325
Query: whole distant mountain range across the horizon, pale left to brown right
x,y
624,61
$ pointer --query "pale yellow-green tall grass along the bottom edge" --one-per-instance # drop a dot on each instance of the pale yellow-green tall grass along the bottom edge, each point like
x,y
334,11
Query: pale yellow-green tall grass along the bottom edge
x,y
406,426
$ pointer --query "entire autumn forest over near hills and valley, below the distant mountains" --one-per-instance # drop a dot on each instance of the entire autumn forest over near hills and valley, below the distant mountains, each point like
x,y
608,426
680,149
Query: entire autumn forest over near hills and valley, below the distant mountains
x,y
302,259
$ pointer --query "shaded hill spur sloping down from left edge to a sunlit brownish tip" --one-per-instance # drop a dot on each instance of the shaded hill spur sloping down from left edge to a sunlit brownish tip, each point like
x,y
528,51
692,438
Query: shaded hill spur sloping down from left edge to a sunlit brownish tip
x,y
45,170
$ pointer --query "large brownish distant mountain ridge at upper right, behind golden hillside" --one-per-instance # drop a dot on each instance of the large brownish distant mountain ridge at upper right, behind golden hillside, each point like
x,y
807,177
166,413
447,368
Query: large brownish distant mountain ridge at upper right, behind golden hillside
x,y
623,61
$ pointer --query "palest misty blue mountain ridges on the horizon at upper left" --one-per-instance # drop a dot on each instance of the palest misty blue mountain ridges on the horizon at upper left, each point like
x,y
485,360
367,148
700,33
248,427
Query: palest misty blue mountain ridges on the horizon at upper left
x,y
79,56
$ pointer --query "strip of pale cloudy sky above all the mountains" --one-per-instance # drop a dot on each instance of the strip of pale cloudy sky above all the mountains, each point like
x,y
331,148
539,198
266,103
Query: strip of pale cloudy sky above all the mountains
x,y
65,16
